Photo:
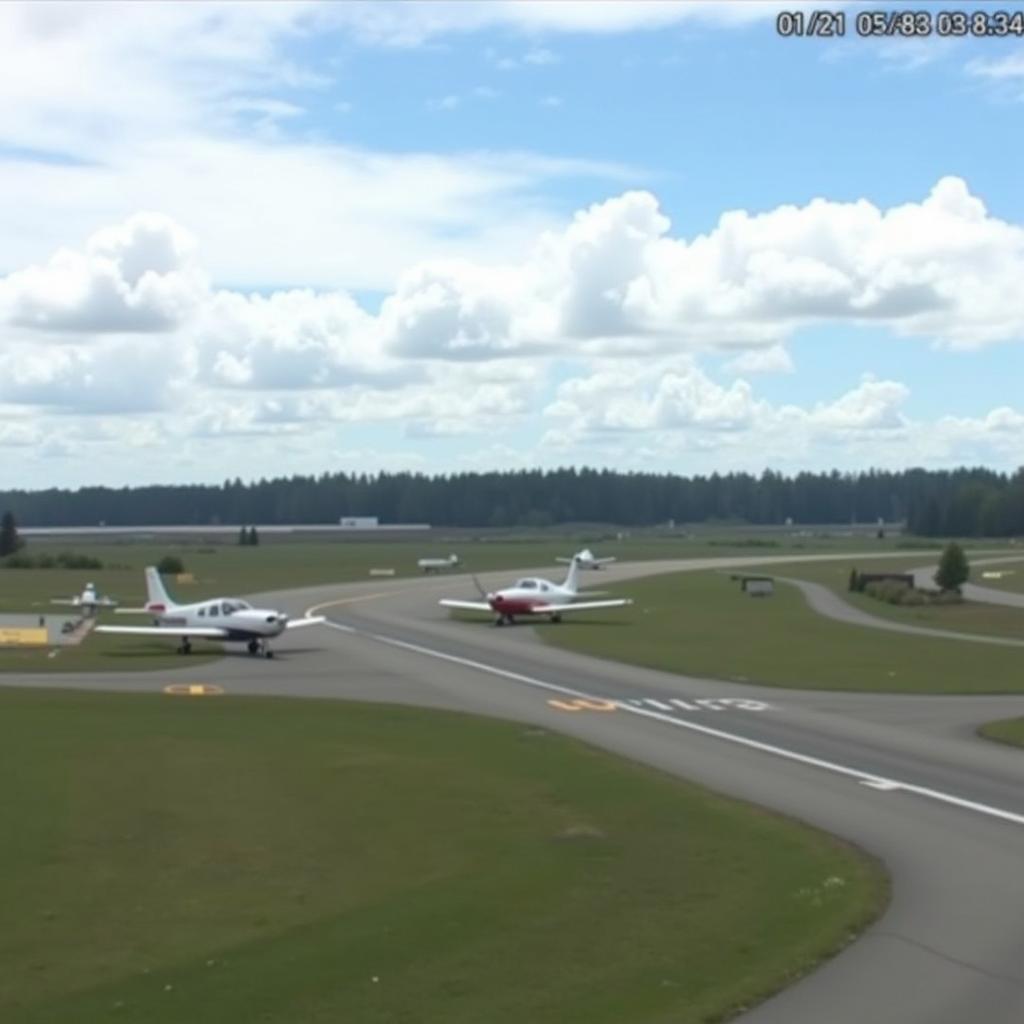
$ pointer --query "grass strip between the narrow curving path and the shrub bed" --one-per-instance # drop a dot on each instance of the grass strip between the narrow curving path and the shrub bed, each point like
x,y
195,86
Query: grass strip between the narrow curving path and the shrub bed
x,y
968,617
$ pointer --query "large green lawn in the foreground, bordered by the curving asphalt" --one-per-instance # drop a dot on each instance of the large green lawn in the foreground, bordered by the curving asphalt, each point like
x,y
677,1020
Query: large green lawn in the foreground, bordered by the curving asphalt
x,y
225,861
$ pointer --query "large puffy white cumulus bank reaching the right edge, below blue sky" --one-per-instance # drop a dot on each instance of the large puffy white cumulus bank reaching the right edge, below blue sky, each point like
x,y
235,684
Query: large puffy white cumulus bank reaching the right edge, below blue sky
x,y
943,269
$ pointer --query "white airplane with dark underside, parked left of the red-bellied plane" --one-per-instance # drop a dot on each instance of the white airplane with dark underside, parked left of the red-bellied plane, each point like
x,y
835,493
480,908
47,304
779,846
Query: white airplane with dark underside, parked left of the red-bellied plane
x,y
228,619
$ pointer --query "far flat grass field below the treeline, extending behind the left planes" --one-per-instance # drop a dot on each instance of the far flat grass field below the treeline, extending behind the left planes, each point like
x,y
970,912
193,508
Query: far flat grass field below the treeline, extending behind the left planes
x,y
226,569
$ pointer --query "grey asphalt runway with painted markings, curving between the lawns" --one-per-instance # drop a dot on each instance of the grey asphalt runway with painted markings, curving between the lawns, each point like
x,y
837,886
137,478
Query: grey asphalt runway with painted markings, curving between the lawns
x,y
903,777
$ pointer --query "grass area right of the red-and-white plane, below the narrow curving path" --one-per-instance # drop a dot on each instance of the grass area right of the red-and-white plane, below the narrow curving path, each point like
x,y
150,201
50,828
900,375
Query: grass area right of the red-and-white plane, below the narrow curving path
x,y
702,624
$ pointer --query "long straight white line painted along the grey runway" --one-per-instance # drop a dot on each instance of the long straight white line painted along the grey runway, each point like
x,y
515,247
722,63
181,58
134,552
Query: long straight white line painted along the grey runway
x,y
879,783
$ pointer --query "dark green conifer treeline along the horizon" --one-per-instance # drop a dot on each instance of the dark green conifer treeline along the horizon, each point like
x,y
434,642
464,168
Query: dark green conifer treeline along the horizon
x,y
962,502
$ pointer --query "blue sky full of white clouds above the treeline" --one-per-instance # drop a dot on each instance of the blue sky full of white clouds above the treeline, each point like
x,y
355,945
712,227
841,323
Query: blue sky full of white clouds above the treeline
x,y
248,240
